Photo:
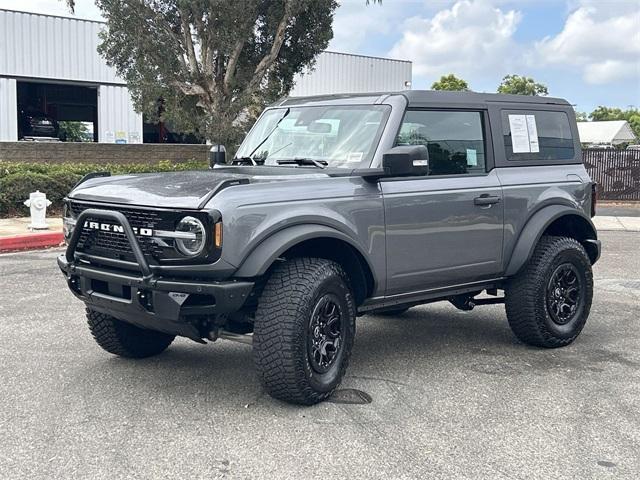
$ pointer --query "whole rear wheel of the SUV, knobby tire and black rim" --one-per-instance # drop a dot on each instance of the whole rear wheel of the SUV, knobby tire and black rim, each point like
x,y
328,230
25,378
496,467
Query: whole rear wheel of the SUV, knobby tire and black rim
x,y
548,302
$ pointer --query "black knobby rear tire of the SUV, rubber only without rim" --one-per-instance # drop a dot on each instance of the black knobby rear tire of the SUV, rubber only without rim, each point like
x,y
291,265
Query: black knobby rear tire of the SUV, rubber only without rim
x,y
526,294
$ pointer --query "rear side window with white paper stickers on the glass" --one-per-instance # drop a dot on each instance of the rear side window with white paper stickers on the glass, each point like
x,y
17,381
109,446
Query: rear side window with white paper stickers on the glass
x,y
537,135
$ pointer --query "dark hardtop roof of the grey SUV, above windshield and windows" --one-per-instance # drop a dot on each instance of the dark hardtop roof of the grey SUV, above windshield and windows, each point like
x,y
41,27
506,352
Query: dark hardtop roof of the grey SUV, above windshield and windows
x,y
426,97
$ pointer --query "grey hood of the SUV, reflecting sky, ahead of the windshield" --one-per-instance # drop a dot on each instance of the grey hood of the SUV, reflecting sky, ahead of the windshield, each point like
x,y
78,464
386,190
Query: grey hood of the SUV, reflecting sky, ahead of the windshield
x,y
188,190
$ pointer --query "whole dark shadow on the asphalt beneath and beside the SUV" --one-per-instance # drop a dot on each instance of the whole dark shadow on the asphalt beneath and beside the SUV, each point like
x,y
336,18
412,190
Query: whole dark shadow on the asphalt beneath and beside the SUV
x,y
418,342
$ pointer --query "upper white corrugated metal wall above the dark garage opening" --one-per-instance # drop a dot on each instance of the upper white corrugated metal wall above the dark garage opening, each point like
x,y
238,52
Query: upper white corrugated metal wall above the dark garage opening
x,y
43,46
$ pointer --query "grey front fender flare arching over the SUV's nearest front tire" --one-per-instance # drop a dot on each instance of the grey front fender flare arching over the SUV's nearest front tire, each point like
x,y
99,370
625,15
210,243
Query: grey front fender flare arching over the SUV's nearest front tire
x,y
265,253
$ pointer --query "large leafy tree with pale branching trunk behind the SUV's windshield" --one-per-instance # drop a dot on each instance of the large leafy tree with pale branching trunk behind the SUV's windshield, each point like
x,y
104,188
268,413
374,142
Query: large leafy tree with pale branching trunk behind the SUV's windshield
x,y
213,63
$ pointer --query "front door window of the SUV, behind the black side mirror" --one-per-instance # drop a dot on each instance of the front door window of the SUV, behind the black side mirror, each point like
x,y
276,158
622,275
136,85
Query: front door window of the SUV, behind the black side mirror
x,y
455,140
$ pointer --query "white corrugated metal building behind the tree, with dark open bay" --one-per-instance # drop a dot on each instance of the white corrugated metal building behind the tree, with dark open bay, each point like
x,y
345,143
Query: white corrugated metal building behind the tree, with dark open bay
x,y
52,62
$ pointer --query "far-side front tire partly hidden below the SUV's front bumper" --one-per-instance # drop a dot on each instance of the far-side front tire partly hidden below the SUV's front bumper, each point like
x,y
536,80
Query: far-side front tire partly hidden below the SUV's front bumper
x,y
124,339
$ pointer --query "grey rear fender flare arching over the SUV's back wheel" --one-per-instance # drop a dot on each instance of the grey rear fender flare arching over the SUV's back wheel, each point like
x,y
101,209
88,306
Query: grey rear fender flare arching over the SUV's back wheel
x,y
533,230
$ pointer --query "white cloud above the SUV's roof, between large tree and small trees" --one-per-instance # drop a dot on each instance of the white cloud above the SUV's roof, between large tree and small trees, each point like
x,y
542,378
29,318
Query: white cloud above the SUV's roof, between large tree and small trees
x,y
470,37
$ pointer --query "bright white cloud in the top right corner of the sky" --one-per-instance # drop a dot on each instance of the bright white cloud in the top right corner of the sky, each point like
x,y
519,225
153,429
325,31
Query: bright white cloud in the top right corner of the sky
x,y
602,39
